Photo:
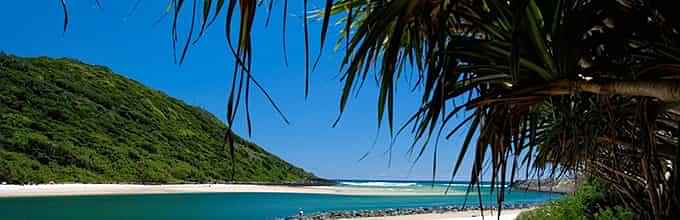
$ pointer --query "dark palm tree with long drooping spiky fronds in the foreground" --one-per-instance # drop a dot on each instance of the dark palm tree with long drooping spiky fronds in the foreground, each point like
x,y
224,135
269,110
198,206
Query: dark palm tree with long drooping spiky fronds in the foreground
x,y
562,86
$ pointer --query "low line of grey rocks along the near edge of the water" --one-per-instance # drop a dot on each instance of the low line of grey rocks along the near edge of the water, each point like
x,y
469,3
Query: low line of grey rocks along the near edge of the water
x,y
400,211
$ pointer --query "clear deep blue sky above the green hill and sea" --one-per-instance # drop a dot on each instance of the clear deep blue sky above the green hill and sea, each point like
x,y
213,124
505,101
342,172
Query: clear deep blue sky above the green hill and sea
x,y
128,40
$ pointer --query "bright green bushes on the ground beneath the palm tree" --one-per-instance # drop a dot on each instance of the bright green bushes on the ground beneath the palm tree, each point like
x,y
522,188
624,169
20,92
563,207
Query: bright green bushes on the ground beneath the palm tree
x,y
591,201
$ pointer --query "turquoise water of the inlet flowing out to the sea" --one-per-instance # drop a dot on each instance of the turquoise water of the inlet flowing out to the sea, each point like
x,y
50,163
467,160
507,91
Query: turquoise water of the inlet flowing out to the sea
x,y
227,205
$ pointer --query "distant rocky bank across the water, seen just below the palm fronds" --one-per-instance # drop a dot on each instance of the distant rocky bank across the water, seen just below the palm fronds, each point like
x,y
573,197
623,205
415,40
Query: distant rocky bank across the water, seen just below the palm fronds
x,y
546,185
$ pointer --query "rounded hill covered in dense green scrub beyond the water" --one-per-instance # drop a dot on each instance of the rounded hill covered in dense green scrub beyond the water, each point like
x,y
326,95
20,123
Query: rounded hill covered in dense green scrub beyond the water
x,y
65,121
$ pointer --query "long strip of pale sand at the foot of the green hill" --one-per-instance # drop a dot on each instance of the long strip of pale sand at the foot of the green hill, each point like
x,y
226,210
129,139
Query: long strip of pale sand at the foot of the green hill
x,y
79,189
